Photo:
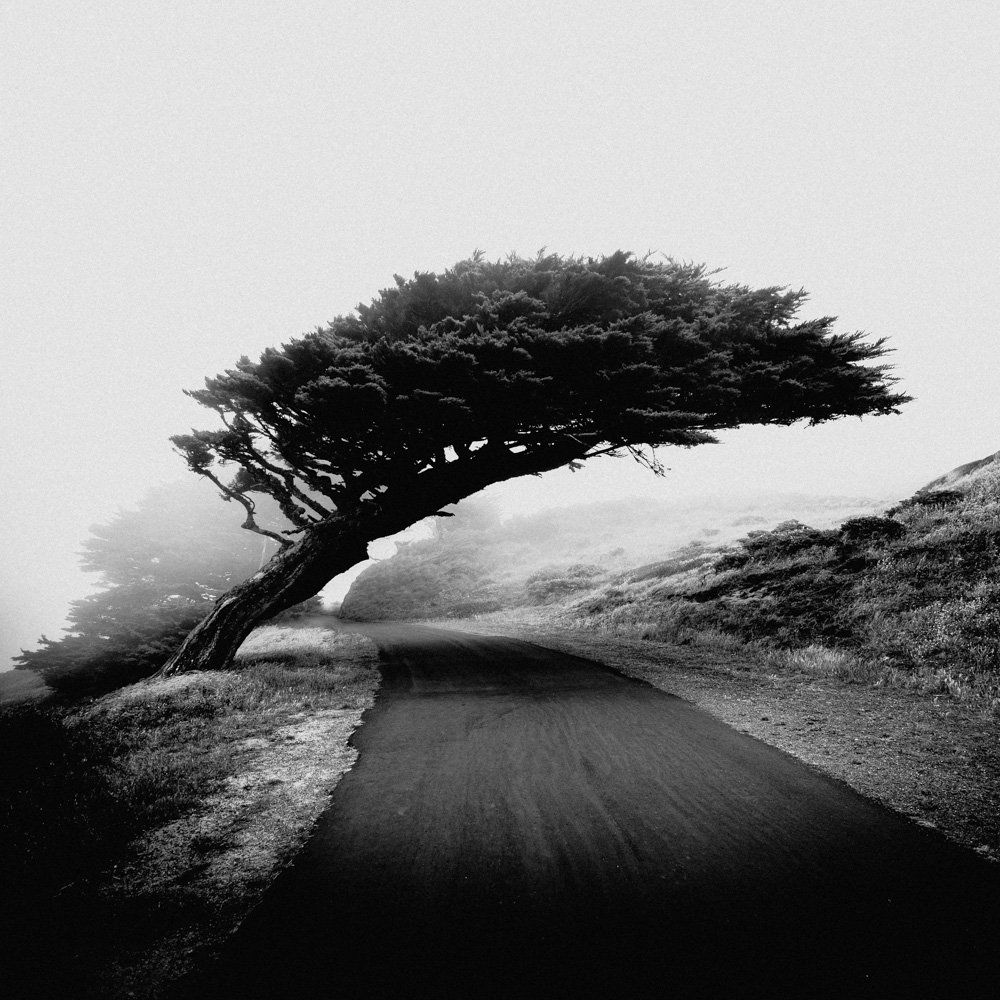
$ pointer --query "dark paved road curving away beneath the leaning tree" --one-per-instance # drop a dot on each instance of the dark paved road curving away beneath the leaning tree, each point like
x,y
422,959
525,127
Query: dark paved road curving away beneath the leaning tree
x,y
523,823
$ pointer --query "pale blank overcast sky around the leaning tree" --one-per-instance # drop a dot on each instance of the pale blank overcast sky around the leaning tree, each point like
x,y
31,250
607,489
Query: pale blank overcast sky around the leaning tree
x,y
185,183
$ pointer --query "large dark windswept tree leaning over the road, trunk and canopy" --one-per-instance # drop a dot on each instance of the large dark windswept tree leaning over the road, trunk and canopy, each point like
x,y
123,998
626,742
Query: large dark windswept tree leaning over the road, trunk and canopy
x,y
449,382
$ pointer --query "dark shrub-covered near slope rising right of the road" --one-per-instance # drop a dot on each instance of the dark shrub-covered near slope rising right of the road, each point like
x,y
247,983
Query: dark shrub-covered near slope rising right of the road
x,y
911,597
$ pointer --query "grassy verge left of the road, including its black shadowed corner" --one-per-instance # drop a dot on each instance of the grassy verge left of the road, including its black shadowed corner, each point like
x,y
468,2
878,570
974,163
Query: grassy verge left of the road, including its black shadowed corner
x,y
142,825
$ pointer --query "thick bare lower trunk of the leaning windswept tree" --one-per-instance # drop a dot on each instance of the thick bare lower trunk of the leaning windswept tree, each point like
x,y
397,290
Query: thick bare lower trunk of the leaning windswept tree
x,y
293,575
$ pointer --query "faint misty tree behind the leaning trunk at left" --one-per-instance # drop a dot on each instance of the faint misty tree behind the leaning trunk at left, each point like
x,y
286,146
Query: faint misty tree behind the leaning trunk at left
x,y
162,565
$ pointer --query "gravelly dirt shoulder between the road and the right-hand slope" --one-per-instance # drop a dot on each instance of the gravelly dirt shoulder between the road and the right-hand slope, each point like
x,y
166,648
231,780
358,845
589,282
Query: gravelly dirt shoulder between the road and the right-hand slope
x,y
933,759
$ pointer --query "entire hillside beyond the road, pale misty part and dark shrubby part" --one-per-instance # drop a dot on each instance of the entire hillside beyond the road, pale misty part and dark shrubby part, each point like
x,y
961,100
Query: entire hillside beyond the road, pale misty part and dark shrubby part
x,y
907,596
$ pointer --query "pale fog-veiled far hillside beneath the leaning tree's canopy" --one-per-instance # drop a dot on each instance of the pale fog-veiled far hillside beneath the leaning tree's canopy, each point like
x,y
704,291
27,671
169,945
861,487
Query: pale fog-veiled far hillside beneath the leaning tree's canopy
x,y
478,563
